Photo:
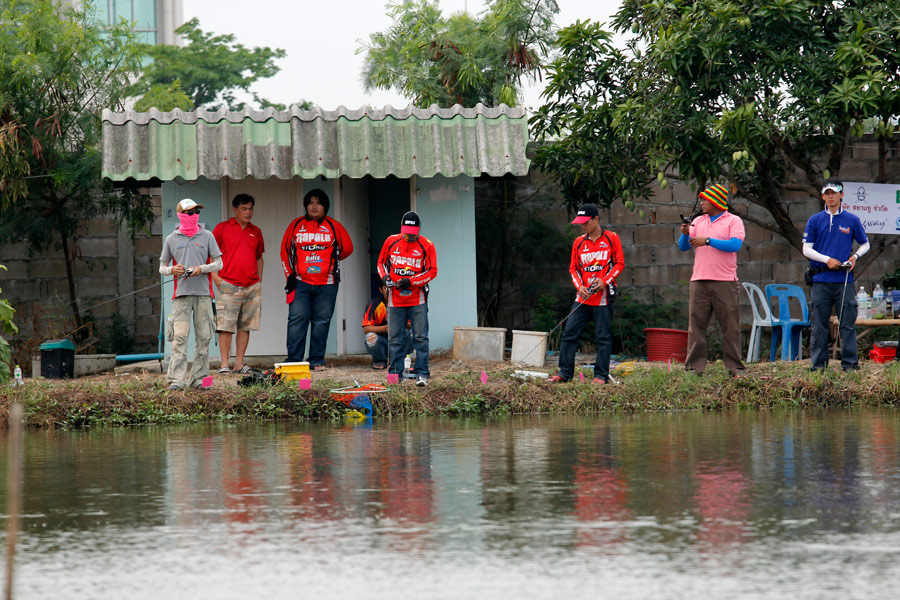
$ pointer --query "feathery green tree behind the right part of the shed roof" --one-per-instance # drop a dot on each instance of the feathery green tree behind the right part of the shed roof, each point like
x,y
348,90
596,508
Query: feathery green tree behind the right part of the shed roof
x,y
460,59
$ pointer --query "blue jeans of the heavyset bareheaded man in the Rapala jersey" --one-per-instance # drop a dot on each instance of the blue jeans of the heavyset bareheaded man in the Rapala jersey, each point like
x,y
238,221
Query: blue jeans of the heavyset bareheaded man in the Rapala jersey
x,y
311,309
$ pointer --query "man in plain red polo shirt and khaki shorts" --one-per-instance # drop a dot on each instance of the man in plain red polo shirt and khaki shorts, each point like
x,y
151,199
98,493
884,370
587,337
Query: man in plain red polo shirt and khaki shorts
x,y
239,282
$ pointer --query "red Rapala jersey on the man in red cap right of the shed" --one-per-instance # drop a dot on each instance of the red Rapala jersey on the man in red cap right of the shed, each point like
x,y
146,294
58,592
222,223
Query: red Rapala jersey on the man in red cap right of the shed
x,y
594,260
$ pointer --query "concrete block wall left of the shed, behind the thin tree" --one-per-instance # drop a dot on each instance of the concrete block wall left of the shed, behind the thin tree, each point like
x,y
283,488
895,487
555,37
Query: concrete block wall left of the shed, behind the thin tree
x,y
108,265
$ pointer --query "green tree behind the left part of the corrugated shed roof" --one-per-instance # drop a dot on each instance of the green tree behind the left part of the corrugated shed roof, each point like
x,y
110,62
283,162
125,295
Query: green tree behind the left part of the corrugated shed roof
x,y
210,70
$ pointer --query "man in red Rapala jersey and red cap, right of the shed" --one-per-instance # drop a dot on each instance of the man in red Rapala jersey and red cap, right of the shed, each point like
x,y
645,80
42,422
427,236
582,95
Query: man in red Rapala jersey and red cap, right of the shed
x,y
596,262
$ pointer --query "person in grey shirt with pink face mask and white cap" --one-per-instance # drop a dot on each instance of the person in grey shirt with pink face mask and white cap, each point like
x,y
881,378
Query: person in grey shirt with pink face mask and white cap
x,y
189,252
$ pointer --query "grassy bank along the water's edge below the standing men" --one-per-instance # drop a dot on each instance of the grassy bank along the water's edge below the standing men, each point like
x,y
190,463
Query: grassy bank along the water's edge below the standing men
x,y
109,401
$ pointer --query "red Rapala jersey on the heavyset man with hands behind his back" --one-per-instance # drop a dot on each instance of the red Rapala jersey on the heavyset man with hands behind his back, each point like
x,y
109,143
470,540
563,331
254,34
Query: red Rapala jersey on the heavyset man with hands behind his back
x,y
311,249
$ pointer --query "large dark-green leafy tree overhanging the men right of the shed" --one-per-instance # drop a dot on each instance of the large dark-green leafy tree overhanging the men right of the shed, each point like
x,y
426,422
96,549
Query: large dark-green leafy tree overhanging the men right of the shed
x,y
742,90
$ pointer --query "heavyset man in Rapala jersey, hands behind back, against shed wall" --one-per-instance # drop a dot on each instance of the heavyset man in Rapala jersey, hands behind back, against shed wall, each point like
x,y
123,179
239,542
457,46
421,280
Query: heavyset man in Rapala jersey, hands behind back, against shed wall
x,y
311,251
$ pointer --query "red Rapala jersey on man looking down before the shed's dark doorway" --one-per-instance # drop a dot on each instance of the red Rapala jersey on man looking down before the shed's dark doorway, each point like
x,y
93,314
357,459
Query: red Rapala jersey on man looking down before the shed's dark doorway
x,y
414,260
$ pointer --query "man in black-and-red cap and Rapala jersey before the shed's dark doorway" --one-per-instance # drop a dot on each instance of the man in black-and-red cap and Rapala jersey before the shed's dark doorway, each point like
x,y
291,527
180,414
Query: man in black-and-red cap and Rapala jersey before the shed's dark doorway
x,y
406,264
